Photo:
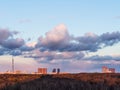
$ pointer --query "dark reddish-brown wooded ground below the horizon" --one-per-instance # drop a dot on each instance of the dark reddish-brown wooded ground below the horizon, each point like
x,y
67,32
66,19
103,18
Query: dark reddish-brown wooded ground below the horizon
x,y
82,81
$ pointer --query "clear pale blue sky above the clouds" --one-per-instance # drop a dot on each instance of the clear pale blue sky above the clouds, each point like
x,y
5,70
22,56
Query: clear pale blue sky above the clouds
x,y
96,16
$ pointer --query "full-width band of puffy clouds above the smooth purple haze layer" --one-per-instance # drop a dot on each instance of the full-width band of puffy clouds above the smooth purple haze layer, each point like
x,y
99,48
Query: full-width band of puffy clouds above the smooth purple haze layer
x,y
57,43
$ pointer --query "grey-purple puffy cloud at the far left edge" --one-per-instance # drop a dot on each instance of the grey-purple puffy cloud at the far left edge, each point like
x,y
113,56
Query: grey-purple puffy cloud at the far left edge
x,y
7,40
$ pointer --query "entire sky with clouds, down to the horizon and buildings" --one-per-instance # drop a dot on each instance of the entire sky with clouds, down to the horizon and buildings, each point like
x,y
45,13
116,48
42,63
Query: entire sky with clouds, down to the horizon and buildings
x,y
73,35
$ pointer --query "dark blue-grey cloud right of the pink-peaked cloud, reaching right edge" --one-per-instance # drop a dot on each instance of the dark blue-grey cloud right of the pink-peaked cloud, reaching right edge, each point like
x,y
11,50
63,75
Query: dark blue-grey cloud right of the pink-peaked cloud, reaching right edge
x,y
92,42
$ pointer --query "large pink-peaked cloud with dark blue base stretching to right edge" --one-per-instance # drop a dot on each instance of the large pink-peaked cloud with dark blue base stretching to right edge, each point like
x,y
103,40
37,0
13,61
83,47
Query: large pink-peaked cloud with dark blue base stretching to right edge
x,y
59,39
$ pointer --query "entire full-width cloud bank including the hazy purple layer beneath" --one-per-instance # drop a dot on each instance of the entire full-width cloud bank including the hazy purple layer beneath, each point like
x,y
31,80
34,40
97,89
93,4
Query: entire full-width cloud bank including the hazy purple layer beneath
x,y
59,47
